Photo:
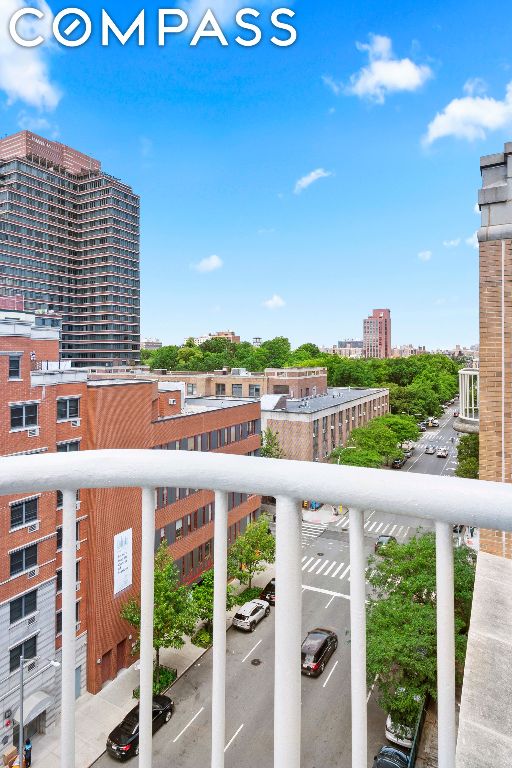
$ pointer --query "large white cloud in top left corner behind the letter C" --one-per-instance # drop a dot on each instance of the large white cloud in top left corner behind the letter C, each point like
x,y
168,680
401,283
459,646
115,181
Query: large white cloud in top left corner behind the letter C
x,y
24,72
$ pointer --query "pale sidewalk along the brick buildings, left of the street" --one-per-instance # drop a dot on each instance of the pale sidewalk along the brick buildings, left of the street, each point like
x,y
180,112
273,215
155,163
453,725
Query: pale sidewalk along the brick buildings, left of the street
x,y
96,715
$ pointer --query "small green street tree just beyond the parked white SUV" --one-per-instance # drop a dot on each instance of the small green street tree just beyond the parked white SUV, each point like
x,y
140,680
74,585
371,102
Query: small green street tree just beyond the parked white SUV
x,y
251,551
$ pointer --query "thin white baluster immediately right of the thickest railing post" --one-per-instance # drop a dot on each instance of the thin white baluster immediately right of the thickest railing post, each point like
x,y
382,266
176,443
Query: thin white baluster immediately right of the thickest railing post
x,y
358,638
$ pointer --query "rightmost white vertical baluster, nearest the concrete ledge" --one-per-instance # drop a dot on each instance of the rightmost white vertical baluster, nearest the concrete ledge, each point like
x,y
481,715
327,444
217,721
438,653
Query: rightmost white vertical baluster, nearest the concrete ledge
x,y
445,646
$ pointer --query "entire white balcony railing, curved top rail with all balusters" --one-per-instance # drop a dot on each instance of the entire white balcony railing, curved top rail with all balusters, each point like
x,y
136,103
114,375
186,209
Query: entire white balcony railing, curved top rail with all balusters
x,y
445,500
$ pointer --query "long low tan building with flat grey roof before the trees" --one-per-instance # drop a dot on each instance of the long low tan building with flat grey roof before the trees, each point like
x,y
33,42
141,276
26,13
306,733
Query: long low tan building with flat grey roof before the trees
x,y
310,428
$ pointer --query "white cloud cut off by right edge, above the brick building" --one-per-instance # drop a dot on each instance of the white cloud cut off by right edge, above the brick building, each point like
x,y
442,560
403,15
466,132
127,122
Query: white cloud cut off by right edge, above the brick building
x,y
471,117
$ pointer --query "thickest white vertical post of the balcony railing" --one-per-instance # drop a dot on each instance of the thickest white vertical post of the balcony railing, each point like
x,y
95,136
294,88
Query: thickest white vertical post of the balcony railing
x,y
287,680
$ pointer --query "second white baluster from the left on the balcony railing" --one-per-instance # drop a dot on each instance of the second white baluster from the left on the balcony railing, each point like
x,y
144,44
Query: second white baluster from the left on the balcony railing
x,y
147,591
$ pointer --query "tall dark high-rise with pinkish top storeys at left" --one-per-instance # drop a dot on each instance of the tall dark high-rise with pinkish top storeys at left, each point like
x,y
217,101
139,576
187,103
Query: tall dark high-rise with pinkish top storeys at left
x,y
69,243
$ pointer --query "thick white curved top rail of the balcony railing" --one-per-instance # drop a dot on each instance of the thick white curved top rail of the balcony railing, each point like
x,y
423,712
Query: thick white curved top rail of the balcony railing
x,y
449,499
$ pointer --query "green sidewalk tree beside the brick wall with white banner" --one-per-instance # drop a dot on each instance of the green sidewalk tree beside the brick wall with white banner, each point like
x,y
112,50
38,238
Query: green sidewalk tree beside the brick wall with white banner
x,y
175,614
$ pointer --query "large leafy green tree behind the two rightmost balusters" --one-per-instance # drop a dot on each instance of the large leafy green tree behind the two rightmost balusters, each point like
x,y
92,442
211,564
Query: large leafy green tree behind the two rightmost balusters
x,y
401,622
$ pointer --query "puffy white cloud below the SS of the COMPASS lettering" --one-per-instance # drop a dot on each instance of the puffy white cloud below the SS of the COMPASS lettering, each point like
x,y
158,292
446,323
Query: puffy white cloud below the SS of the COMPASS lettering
x,y
384,73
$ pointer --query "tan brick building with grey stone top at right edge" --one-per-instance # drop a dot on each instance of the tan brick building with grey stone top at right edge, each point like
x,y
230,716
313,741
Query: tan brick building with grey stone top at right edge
x,y
495,238
